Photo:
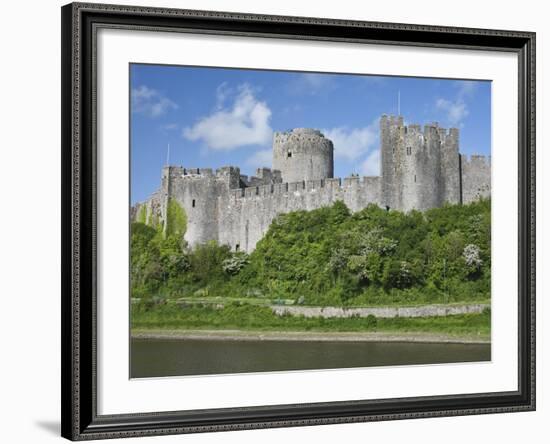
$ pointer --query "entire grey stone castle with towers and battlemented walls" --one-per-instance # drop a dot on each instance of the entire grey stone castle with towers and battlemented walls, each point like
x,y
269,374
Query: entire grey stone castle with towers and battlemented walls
x,y
420,169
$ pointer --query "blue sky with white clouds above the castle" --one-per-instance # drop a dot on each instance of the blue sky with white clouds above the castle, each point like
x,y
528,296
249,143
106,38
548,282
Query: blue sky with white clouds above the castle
x,y
213,117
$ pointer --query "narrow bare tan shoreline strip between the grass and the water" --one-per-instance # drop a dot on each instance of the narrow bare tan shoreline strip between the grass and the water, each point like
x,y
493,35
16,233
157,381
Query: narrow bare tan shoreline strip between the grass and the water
x,y
241,335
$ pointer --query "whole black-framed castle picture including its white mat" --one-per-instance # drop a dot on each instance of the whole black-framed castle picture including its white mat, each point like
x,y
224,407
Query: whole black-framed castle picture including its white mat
x,y
280,221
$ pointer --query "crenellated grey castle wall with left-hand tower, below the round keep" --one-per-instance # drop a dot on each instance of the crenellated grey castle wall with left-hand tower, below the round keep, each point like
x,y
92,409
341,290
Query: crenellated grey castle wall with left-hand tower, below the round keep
x,y
239,217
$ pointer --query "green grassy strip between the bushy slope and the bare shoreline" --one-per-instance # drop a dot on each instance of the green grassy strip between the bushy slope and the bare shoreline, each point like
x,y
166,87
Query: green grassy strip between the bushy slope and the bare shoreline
x,y
256,318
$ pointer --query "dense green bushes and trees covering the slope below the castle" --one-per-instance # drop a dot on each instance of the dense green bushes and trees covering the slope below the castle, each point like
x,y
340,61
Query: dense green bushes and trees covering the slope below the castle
x,y
326,256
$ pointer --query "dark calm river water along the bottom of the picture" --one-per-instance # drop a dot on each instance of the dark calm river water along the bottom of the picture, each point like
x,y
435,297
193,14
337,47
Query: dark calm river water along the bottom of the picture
x,y
179,357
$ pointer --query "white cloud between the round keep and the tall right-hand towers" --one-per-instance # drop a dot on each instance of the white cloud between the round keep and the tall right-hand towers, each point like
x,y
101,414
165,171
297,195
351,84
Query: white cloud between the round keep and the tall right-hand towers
x,y
352,143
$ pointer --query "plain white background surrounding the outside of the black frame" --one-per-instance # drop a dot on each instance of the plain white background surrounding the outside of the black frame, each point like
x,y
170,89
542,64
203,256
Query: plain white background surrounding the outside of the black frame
x,y
30,222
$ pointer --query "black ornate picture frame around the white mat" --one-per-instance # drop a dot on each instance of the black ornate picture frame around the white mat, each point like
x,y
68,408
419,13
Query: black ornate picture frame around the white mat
x,y
78,333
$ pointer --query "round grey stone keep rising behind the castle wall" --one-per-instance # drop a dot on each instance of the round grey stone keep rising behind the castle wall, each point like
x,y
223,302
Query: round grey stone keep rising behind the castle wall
x,y
303,154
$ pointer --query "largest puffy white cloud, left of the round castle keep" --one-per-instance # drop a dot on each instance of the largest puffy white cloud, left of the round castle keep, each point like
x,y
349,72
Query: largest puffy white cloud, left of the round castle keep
x,y
246,122
